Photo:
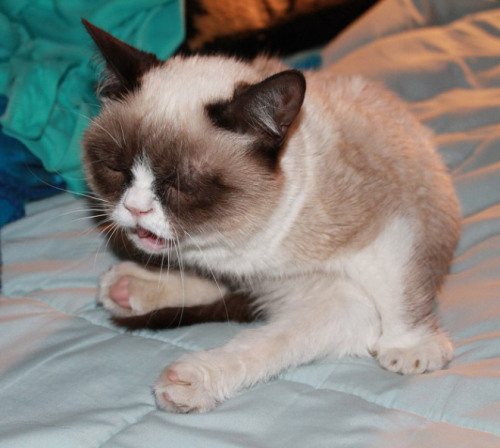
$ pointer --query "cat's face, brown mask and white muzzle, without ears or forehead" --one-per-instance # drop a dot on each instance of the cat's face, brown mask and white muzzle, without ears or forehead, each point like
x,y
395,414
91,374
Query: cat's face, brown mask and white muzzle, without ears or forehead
x,y
164,185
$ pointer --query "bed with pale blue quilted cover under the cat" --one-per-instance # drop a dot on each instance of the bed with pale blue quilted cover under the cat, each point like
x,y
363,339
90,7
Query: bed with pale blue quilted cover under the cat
x,y
70,378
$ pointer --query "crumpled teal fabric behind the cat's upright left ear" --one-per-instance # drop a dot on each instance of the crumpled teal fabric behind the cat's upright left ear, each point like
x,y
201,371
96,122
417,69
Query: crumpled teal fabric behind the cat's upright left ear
x,y
46,73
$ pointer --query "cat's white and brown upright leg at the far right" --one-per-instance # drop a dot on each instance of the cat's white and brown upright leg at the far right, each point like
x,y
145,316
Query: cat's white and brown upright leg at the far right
x,y
388,269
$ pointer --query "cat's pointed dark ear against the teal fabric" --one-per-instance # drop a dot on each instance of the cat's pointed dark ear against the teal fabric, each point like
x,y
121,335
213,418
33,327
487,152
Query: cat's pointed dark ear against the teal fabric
x,y
125,64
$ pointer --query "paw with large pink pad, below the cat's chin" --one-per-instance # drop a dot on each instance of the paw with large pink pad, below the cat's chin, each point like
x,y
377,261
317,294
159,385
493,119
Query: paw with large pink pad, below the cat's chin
x,y
122,292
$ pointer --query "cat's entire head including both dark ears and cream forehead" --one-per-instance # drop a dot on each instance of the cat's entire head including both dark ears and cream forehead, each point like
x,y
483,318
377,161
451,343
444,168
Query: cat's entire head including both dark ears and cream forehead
x,y
188,149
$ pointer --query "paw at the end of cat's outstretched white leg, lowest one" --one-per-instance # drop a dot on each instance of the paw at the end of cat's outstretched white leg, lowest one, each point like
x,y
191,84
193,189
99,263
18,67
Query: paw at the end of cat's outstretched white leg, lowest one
x,y
188,386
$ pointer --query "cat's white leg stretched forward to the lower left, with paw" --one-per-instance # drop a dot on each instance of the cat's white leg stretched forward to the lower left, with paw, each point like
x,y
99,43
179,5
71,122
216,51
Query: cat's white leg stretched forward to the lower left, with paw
x,y
318,319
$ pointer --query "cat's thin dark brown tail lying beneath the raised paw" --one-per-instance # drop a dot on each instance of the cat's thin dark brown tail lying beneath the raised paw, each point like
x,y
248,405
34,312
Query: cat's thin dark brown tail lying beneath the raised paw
x,y
234,307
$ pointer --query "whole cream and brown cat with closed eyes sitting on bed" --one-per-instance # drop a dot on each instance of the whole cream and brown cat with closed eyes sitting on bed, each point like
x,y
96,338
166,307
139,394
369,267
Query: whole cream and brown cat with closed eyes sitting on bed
x,y
317,196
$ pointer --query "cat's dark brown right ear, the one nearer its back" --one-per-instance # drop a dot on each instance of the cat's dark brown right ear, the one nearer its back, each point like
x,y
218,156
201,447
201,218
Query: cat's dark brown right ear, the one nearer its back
x,y
266,109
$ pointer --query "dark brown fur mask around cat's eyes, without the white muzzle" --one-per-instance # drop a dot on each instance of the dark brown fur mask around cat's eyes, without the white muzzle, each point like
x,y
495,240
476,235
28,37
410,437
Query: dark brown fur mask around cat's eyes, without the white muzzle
x,y
204,192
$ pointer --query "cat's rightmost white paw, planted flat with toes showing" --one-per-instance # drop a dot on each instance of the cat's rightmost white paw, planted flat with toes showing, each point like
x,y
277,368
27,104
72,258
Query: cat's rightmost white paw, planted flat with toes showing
x,y
428,355
